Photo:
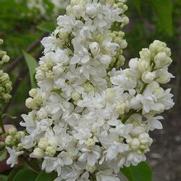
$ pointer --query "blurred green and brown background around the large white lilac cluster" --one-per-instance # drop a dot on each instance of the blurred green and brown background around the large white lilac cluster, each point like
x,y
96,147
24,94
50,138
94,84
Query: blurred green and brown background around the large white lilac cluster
x,y
22,30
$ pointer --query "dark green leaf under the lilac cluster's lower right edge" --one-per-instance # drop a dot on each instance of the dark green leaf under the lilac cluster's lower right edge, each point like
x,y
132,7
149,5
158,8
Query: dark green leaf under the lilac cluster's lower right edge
x,y
141,172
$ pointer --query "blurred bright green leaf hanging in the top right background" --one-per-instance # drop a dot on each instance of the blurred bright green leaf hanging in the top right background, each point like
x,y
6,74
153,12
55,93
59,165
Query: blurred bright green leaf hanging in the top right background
x,y
164,10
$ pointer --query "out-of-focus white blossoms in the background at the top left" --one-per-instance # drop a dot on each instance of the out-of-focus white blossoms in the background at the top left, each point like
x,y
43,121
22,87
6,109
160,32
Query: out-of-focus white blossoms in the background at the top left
x,y
42,6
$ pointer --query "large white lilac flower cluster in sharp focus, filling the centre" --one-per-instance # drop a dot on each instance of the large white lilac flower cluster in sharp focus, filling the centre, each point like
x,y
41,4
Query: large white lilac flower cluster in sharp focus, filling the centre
x,y
89,118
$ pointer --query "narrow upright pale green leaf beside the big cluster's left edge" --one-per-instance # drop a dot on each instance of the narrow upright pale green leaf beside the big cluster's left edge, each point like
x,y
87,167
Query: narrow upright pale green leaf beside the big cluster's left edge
x,y
32,64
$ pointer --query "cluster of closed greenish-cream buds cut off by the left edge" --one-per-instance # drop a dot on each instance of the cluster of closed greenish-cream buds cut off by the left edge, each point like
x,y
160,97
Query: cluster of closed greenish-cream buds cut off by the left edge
x,y
5,83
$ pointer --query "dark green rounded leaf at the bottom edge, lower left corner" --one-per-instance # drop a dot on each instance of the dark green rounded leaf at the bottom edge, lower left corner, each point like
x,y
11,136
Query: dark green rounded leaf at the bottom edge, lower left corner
x,y
25,174
